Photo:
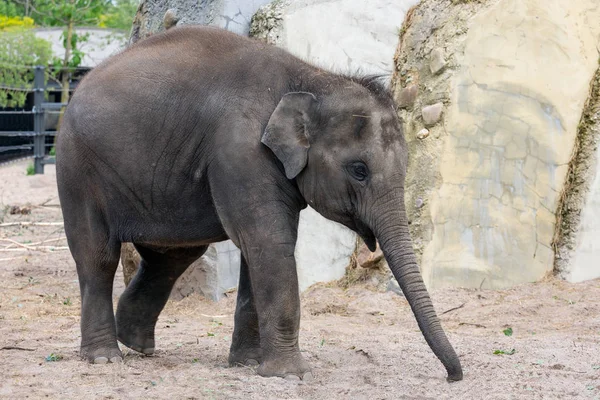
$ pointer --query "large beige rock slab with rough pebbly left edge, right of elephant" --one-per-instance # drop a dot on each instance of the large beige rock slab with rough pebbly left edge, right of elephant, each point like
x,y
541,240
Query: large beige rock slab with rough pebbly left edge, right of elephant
x,y
491,93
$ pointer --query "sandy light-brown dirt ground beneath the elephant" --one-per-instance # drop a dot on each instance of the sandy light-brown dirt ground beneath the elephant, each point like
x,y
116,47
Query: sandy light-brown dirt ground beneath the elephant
x,y
361,344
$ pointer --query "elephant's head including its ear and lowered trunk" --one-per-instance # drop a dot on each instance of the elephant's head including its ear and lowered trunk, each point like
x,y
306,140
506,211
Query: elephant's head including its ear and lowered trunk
x,y
346,150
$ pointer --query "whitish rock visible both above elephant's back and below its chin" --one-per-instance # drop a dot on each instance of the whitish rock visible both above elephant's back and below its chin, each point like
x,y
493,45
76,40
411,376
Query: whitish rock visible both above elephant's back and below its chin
x,y
342,35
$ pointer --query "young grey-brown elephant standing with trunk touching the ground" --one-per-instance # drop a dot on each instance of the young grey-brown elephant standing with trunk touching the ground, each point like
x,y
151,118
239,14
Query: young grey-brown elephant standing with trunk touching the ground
x,y
196,135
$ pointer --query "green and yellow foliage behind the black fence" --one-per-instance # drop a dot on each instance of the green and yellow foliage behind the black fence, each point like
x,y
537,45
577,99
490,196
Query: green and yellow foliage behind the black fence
x,y
20,47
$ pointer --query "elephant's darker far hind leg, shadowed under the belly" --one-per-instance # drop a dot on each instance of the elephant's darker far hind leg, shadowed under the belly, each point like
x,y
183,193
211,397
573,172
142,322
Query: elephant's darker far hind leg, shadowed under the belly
x,y
148,292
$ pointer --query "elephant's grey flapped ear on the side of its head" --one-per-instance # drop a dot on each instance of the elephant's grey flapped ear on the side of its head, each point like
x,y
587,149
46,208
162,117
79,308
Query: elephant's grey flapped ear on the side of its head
x,y
286,133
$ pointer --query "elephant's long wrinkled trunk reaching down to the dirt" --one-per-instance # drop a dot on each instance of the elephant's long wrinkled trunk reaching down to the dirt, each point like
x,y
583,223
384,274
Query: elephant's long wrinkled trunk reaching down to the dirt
x,y
391,230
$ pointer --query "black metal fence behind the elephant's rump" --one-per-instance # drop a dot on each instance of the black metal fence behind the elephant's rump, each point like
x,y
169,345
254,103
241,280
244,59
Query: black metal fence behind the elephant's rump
x,y
28,135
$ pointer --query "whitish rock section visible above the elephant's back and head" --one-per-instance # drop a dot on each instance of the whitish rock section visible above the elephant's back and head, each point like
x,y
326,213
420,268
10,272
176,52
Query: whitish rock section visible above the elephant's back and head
x,y
344,35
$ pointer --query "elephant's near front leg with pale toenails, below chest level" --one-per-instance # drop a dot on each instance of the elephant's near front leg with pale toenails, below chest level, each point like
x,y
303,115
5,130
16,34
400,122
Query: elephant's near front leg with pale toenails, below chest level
x,y
272,270
